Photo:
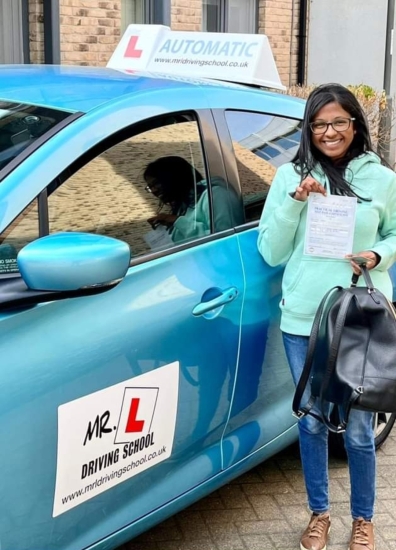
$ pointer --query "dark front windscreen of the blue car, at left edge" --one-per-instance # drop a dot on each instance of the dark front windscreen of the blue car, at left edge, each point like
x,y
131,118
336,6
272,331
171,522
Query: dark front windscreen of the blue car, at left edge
x,y
21,125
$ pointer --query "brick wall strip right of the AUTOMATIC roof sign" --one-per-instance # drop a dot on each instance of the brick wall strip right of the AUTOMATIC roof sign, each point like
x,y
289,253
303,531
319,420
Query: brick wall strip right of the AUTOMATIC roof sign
x,y
279,21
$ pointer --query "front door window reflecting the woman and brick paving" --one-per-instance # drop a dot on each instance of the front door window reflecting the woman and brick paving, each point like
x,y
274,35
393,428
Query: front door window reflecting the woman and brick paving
x,y
149,190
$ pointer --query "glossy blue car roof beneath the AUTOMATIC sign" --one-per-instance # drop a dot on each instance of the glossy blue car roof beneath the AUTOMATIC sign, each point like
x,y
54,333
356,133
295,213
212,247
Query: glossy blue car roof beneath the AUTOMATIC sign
x,y
81,89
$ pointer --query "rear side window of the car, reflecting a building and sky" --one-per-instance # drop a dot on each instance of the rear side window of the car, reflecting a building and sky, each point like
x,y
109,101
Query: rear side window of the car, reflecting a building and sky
x,y
261,143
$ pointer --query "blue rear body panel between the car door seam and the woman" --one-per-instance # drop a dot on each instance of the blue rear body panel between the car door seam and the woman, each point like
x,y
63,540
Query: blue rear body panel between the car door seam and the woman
x,y
260,409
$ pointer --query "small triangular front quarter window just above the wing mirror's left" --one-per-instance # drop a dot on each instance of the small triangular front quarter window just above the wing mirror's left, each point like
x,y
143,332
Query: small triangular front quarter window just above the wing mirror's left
x,y
23,230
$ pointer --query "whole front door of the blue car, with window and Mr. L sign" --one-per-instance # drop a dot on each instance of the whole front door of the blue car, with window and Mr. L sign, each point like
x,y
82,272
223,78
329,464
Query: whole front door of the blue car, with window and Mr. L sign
x,y
115,404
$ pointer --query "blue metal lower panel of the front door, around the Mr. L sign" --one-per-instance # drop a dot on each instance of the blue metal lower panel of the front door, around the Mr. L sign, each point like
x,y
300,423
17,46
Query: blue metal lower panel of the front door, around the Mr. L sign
x,y
127,337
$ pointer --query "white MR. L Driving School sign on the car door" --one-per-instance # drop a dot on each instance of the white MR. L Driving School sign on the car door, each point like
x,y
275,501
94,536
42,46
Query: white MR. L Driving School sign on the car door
x,y
109,436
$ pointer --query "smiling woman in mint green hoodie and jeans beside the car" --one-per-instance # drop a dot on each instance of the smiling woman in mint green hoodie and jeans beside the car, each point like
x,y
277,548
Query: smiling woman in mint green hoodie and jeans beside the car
x,y
335,157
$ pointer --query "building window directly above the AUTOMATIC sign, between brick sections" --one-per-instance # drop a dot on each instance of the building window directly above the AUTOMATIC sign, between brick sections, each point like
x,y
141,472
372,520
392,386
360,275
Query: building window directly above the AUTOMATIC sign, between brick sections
x,y
229,16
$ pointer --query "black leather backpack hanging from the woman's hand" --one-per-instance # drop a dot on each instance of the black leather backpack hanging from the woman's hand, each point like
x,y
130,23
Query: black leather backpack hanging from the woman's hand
x,y
351,358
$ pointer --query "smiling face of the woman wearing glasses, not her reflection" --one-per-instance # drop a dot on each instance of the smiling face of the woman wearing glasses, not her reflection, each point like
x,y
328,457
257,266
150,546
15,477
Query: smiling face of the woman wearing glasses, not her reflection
x,y
333,142
